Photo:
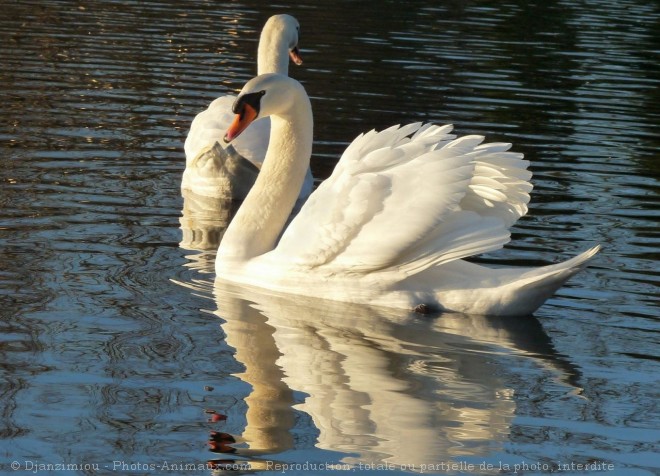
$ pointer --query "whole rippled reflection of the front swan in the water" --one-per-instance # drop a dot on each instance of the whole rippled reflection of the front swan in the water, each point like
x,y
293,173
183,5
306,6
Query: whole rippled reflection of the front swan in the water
x,y
379,385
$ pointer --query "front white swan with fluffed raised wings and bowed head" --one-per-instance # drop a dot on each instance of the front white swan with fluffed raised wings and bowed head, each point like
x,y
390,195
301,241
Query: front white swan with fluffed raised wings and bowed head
x,y
392,223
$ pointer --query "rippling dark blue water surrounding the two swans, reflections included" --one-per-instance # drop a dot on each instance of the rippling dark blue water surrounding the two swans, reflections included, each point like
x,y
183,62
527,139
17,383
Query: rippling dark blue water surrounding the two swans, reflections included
x,y
115,347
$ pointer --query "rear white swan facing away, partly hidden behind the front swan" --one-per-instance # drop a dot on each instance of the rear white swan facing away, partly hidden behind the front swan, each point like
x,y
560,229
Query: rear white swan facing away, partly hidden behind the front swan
x,y
218,171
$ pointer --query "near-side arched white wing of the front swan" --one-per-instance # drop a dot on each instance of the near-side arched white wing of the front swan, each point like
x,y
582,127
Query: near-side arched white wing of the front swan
x,y
389,194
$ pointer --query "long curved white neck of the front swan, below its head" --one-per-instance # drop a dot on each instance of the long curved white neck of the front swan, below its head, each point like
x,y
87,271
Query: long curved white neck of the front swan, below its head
x,y
259,222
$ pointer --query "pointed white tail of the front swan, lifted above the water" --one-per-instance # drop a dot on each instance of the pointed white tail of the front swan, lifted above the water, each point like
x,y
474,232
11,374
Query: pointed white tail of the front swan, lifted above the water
x,y
538,285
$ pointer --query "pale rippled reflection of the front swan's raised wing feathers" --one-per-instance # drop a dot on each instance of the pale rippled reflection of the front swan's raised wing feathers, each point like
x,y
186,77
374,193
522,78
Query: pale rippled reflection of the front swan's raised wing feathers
x,y
371,394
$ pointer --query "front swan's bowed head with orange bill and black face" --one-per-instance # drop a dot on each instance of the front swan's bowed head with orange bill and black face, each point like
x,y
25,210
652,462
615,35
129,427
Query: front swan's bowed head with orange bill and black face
x,y
263,96
